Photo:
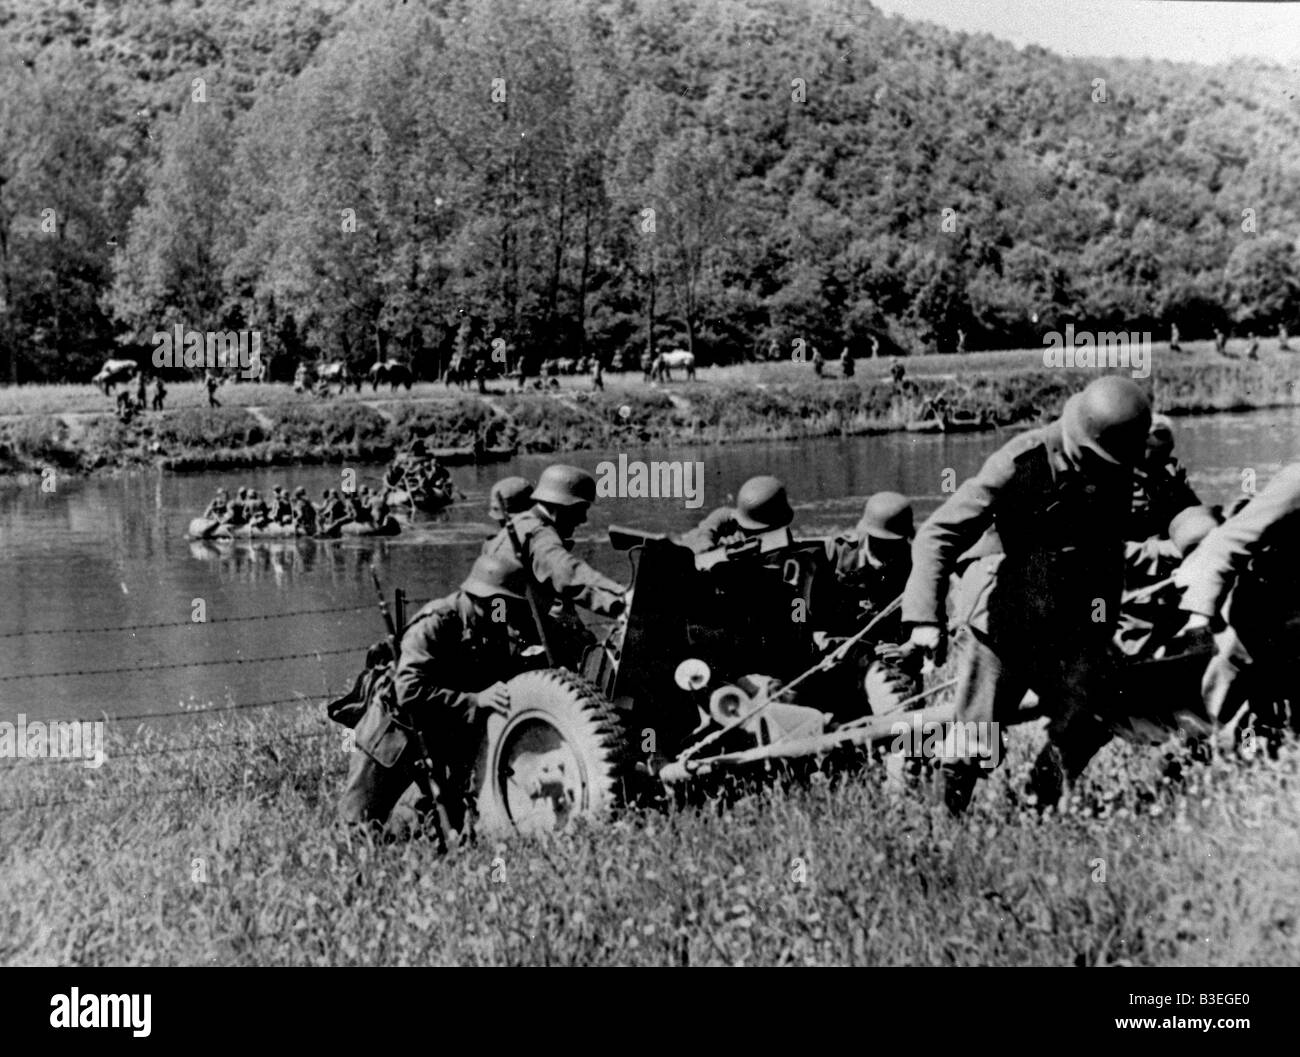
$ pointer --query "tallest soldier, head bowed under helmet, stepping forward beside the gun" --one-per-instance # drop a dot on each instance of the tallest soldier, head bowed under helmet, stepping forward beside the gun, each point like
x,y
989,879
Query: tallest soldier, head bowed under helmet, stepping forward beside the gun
x,y
1058,500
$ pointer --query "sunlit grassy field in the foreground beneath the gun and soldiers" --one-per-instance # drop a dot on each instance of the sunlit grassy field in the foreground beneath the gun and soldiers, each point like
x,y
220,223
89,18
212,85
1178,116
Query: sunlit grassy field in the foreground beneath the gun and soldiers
x,y
228,854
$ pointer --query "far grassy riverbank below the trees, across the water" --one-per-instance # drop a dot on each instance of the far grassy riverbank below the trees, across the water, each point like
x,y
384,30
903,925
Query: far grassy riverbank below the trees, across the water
x,y
57,427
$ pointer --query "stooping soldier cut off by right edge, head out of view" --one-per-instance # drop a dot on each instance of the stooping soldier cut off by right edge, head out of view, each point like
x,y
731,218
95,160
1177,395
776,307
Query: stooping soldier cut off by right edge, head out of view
x,y
1242,584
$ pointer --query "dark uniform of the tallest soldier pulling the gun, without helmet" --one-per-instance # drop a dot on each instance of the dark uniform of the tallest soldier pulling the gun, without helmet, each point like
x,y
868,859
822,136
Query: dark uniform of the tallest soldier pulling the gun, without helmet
x,y
1048,605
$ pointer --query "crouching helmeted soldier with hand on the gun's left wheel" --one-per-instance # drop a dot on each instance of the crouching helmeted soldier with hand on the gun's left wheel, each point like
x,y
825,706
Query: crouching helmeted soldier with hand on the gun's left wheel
x,y
457,656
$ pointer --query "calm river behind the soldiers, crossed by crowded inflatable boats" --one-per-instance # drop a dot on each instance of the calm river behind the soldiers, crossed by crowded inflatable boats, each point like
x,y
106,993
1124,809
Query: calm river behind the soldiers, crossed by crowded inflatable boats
x,y
92,561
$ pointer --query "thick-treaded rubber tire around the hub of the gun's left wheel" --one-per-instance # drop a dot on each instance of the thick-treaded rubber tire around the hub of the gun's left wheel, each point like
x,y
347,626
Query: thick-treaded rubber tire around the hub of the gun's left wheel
x,y
590,726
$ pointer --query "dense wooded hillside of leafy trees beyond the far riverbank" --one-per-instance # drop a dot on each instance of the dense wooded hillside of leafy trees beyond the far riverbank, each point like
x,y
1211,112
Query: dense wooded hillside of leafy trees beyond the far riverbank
x,y
557,177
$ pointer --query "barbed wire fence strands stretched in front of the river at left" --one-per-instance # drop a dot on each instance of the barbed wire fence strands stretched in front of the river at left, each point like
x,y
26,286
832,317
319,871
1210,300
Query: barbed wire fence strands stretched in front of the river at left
x,y
262,743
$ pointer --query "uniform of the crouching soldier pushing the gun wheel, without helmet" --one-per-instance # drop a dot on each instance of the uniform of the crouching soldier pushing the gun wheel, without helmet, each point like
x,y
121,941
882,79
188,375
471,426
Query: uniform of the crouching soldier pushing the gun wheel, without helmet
x,y
448,653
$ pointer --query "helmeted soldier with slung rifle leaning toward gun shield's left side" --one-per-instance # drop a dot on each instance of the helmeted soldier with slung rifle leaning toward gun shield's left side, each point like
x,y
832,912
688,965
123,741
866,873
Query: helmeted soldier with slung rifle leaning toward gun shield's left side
x,y
545,538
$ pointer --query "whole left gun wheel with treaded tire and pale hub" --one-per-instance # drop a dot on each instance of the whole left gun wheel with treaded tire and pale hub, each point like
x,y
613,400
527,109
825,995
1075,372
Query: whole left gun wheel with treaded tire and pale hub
x,y
558,756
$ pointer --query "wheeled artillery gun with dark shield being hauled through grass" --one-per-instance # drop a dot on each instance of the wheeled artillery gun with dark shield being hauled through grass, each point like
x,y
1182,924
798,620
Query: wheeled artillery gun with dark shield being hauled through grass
x,y
717,665
